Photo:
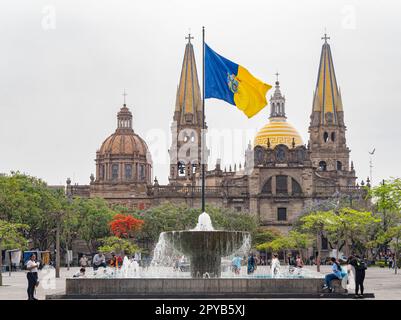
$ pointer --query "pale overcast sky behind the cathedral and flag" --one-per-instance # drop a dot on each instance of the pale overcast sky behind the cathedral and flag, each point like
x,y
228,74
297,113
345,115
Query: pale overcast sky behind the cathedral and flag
x,y
65,64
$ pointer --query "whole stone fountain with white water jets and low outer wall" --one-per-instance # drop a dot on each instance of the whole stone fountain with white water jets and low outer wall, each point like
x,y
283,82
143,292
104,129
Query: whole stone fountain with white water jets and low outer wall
x,y
205,247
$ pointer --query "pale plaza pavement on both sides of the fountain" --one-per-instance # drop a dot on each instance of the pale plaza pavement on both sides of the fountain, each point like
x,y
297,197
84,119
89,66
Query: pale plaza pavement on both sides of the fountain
x,y
382,282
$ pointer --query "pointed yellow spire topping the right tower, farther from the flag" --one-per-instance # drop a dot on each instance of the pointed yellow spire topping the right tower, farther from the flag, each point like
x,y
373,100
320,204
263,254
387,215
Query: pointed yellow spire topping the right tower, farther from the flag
x,y
327,98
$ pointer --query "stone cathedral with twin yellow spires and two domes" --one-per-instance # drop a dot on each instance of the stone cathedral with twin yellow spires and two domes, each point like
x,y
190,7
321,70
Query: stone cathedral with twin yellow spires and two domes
x,y
281,174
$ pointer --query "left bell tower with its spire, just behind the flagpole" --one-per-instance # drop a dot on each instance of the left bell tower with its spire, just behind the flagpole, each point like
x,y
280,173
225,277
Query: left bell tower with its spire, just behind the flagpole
x,y
186,129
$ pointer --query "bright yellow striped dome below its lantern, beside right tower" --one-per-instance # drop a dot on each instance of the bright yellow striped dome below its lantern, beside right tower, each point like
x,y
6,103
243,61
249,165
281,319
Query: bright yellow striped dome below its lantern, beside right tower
x,y
278,131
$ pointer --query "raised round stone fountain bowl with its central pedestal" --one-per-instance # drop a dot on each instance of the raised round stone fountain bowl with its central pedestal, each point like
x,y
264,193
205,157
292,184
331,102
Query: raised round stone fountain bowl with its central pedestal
x,y
205,248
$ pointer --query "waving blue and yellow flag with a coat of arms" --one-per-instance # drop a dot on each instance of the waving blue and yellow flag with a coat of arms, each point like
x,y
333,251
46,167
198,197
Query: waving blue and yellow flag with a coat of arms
x,y
233,83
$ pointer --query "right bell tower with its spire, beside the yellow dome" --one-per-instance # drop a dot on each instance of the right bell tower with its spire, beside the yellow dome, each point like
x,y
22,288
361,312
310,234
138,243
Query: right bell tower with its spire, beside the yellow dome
x,y
329,151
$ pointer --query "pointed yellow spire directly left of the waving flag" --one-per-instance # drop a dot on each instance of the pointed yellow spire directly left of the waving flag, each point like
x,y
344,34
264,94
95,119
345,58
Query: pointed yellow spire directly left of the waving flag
x,y
188,92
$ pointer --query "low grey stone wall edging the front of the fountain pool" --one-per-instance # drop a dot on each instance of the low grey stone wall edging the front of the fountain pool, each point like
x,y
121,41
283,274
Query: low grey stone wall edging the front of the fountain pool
x,y
96,288
